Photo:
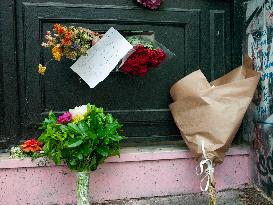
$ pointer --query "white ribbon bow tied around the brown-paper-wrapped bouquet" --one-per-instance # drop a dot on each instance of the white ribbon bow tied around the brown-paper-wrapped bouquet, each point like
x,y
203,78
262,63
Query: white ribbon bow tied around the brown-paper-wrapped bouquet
x,y
205,168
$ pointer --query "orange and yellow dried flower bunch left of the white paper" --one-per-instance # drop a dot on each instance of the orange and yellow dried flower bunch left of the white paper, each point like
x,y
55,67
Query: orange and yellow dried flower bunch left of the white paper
x,y
68,41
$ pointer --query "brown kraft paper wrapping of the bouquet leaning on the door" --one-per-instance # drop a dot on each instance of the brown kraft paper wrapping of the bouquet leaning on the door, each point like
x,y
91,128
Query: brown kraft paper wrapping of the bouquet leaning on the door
x,y
212,112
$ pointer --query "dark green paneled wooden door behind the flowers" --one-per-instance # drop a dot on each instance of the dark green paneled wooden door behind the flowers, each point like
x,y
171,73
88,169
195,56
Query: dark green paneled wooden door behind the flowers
x,y
197,31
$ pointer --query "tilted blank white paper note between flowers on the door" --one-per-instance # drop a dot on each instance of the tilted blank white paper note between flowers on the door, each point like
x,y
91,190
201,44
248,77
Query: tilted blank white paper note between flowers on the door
x,y
102,58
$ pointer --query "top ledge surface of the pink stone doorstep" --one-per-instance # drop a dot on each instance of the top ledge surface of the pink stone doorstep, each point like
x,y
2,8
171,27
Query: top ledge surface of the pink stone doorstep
x,y
130,154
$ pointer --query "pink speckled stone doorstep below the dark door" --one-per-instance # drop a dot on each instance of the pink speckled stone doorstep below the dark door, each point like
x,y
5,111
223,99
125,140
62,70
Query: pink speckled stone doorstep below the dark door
x,y
139,172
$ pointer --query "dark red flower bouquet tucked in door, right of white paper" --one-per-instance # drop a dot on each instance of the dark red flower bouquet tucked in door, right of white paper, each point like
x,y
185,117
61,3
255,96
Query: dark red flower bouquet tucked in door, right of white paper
x,y
146,55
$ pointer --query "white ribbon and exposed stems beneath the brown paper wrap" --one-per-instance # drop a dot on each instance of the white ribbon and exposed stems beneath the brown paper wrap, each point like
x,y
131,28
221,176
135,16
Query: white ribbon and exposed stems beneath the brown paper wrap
x,y
206,169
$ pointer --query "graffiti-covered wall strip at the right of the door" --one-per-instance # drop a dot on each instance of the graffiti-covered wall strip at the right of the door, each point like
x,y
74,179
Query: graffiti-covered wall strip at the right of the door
x,y
259,47
